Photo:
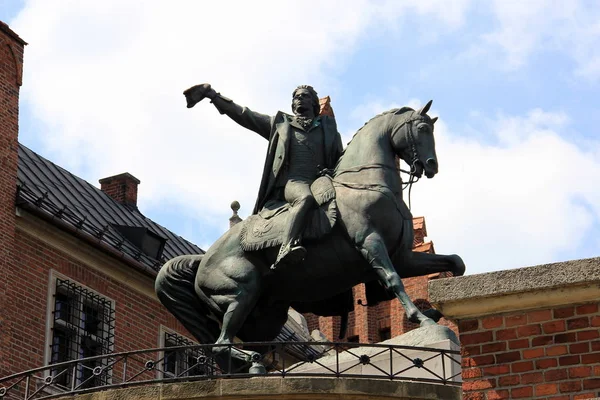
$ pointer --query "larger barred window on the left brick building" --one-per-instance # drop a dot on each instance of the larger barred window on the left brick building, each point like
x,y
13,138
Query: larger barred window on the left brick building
x,y
83,324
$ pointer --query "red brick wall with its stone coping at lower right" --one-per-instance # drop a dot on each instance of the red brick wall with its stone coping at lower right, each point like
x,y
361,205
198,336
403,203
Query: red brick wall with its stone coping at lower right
x,y
530,333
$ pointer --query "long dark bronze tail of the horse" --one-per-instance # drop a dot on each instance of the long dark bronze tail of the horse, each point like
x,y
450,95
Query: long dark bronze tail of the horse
x,y
175,289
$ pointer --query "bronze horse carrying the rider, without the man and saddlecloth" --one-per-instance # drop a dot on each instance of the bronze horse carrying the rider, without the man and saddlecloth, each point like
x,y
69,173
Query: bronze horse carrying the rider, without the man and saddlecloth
x,y
231,292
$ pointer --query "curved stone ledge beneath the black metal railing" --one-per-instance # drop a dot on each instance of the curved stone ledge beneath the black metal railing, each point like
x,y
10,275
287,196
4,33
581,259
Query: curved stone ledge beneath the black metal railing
x,y
261,388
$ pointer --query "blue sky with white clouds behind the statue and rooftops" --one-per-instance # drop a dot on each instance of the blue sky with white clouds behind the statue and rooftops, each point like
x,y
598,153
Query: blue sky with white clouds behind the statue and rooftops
x,y
515,85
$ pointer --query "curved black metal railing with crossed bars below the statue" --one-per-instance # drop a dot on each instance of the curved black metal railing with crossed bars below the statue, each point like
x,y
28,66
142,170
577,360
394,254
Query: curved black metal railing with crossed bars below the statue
x,y
321,359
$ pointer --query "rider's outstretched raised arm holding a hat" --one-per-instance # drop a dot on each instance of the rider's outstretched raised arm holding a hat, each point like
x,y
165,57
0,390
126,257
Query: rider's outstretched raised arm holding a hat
x,y
257,122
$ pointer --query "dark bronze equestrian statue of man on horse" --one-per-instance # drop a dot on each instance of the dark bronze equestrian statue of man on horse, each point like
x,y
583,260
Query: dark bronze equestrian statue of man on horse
x,y
360,233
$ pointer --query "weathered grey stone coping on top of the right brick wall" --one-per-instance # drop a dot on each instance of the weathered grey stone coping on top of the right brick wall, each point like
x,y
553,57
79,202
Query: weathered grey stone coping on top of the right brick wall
x,y
569,282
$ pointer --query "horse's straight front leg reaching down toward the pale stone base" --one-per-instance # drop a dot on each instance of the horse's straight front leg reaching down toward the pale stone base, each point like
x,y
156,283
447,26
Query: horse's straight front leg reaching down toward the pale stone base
x,y
374,251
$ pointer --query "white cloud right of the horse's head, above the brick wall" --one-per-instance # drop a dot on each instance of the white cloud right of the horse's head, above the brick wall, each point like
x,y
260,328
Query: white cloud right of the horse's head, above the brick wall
x,y
523,201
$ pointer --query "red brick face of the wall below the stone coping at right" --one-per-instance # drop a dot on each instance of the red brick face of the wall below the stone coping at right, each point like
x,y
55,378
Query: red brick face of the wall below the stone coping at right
x,y
551,353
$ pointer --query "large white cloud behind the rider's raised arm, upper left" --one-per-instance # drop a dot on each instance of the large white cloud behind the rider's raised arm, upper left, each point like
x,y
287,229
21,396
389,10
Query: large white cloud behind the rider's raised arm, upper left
x,y
105,79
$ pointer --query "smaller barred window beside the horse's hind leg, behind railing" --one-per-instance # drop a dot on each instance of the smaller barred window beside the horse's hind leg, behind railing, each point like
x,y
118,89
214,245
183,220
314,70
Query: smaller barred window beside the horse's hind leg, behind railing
x,y
183,362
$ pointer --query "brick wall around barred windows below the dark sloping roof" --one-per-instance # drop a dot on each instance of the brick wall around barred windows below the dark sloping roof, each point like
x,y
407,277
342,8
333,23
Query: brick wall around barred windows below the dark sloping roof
x,y
138,316
